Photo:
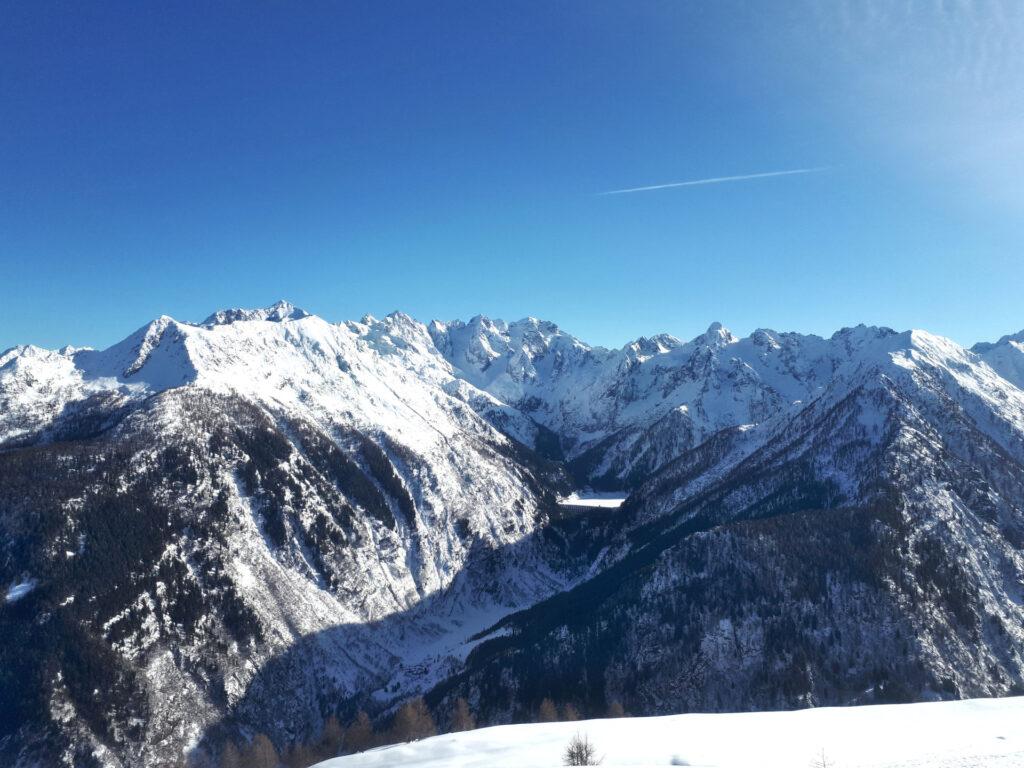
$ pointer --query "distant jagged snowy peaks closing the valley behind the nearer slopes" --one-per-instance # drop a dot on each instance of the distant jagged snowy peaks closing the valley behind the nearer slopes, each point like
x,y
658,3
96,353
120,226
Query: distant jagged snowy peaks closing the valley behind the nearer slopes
x,y
623,414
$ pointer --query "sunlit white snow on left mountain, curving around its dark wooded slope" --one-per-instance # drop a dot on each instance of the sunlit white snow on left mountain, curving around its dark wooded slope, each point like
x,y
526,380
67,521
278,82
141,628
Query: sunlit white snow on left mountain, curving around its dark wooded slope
x,y
379,378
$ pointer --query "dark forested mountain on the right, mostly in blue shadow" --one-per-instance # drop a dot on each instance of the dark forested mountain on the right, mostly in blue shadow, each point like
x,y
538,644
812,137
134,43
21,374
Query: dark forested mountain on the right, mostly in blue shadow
x,y
869,542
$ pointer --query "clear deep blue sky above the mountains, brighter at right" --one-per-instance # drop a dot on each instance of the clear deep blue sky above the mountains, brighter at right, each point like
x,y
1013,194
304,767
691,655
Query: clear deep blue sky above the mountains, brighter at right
x,y
445,159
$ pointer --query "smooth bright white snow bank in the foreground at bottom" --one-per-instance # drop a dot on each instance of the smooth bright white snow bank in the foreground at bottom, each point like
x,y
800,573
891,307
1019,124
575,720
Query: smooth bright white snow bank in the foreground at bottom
x,y
977,734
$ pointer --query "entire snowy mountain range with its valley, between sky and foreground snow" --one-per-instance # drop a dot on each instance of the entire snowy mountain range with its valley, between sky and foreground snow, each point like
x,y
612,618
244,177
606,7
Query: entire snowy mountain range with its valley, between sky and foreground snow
x,y
248,525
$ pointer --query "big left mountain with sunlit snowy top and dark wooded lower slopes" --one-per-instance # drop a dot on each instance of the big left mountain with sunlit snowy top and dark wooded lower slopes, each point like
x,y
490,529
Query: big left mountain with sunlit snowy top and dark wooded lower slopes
x,y
205,497
